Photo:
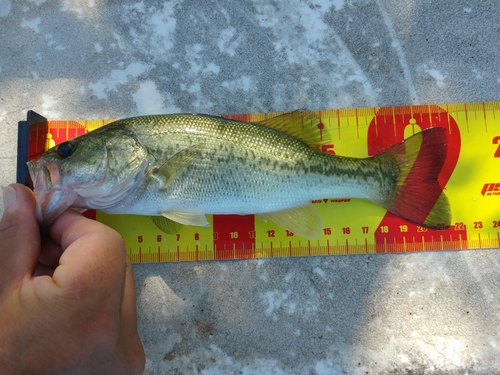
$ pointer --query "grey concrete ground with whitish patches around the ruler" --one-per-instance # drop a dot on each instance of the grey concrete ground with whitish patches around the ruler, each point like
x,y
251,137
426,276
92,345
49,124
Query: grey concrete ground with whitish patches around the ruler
x,y
436,313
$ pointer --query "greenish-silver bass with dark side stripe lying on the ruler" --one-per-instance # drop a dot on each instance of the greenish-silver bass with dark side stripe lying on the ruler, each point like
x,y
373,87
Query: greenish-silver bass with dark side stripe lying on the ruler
x,y
179,167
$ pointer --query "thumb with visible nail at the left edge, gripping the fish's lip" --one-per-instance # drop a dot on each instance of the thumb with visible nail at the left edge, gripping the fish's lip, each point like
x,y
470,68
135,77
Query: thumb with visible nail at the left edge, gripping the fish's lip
x,y
19,235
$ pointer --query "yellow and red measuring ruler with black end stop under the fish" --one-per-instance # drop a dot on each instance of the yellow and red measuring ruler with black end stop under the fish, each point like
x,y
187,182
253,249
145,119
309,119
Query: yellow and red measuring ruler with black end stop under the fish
x,y
471,176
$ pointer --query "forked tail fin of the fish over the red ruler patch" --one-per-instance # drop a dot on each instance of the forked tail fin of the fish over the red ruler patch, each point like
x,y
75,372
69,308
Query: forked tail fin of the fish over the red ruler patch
x,y
416,163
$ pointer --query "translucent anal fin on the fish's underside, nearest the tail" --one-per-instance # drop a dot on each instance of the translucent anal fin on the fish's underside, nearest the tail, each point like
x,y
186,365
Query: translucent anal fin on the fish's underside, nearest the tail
x,y
303,221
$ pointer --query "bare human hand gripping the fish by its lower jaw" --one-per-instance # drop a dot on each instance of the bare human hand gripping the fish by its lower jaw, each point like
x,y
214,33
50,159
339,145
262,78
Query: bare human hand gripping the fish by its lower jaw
x,y
67,301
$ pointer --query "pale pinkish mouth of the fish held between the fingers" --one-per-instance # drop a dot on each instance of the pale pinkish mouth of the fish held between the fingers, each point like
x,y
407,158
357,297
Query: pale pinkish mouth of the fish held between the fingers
x,y
51,198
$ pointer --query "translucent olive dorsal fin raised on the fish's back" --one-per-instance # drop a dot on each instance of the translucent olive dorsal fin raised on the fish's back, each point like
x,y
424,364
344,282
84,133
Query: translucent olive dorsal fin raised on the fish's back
x,y
303,125
